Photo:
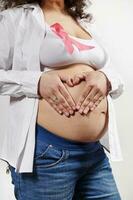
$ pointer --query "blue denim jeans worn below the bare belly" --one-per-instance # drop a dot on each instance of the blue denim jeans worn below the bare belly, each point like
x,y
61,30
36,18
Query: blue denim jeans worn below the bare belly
x,y
66,174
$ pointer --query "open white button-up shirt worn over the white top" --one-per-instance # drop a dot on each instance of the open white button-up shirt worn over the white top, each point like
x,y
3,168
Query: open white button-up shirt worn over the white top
x,y
22,30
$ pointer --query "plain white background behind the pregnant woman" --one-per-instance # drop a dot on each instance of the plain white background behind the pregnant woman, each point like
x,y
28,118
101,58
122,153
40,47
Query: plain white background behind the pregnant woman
x,y
114,21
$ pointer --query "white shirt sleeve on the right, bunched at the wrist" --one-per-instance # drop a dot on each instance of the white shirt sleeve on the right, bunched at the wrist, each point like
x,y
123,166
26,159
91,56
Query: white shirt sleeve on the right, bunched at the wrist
x,y
113,76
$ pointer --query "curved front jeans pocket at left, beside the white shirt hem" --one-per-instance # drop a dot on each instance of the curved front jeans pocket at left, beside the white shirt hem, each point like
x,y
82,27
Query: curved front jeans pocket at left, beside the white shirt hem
x,y
47,155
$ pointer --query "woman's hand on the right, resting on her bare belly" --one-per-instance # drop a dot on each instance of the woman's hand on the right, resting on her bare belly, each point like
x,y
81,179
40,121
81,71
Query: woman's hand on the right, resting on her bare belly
x,y
95,89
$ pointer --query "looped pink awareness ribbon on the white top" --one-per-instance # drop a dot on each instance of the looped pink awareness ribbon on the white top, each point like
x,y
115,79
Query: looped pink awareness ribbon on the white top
x,y
58,29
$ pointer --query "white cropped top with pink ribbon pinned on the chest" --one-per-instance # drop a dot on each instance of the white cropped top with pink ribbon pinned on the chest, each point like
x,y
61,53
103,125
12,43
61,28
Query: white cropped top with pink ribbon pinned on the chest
x,y
59,49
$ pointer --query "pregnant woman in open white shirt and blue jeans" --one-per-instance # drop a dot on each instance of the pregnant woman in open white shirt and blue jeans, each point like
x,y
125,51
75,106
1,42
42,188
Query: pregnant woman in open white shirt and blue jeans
x,y
66,102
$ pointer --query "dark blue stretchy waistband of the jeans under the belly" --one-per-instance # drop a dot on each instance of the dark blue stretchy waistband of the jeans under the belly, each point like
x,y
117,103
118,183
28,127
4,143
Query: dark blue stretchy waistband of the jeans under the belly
x,y
49,137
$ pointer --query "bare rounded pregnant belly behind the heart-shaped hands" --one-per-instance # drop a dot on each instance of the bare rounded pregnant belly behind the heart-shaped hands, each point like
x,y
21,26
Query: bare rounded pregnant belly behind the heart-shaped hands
x,y
77,127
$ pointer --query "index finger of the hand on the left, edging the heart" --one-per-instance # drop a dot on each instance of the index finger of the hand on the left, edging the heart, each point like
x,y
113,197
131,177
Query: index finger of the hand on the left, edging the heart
x,y
68,100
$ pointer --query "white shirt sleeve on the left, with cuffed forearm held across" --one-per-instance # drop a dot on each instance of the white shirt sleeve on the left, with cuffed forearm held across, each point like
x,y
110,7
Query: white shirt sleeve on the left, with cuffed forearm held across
x,y
14,83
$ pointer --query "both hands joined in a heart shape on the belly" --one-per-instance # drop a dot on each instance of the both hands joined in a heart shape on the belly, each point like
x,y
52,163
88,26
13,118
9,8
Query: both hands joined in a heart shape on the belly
x,y
55,93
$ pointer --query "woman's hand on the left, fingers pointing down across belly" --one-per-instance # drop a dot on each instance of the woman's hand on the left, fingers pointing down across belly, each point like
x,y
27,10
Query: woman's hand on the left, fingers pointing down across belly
x,y
50,85
